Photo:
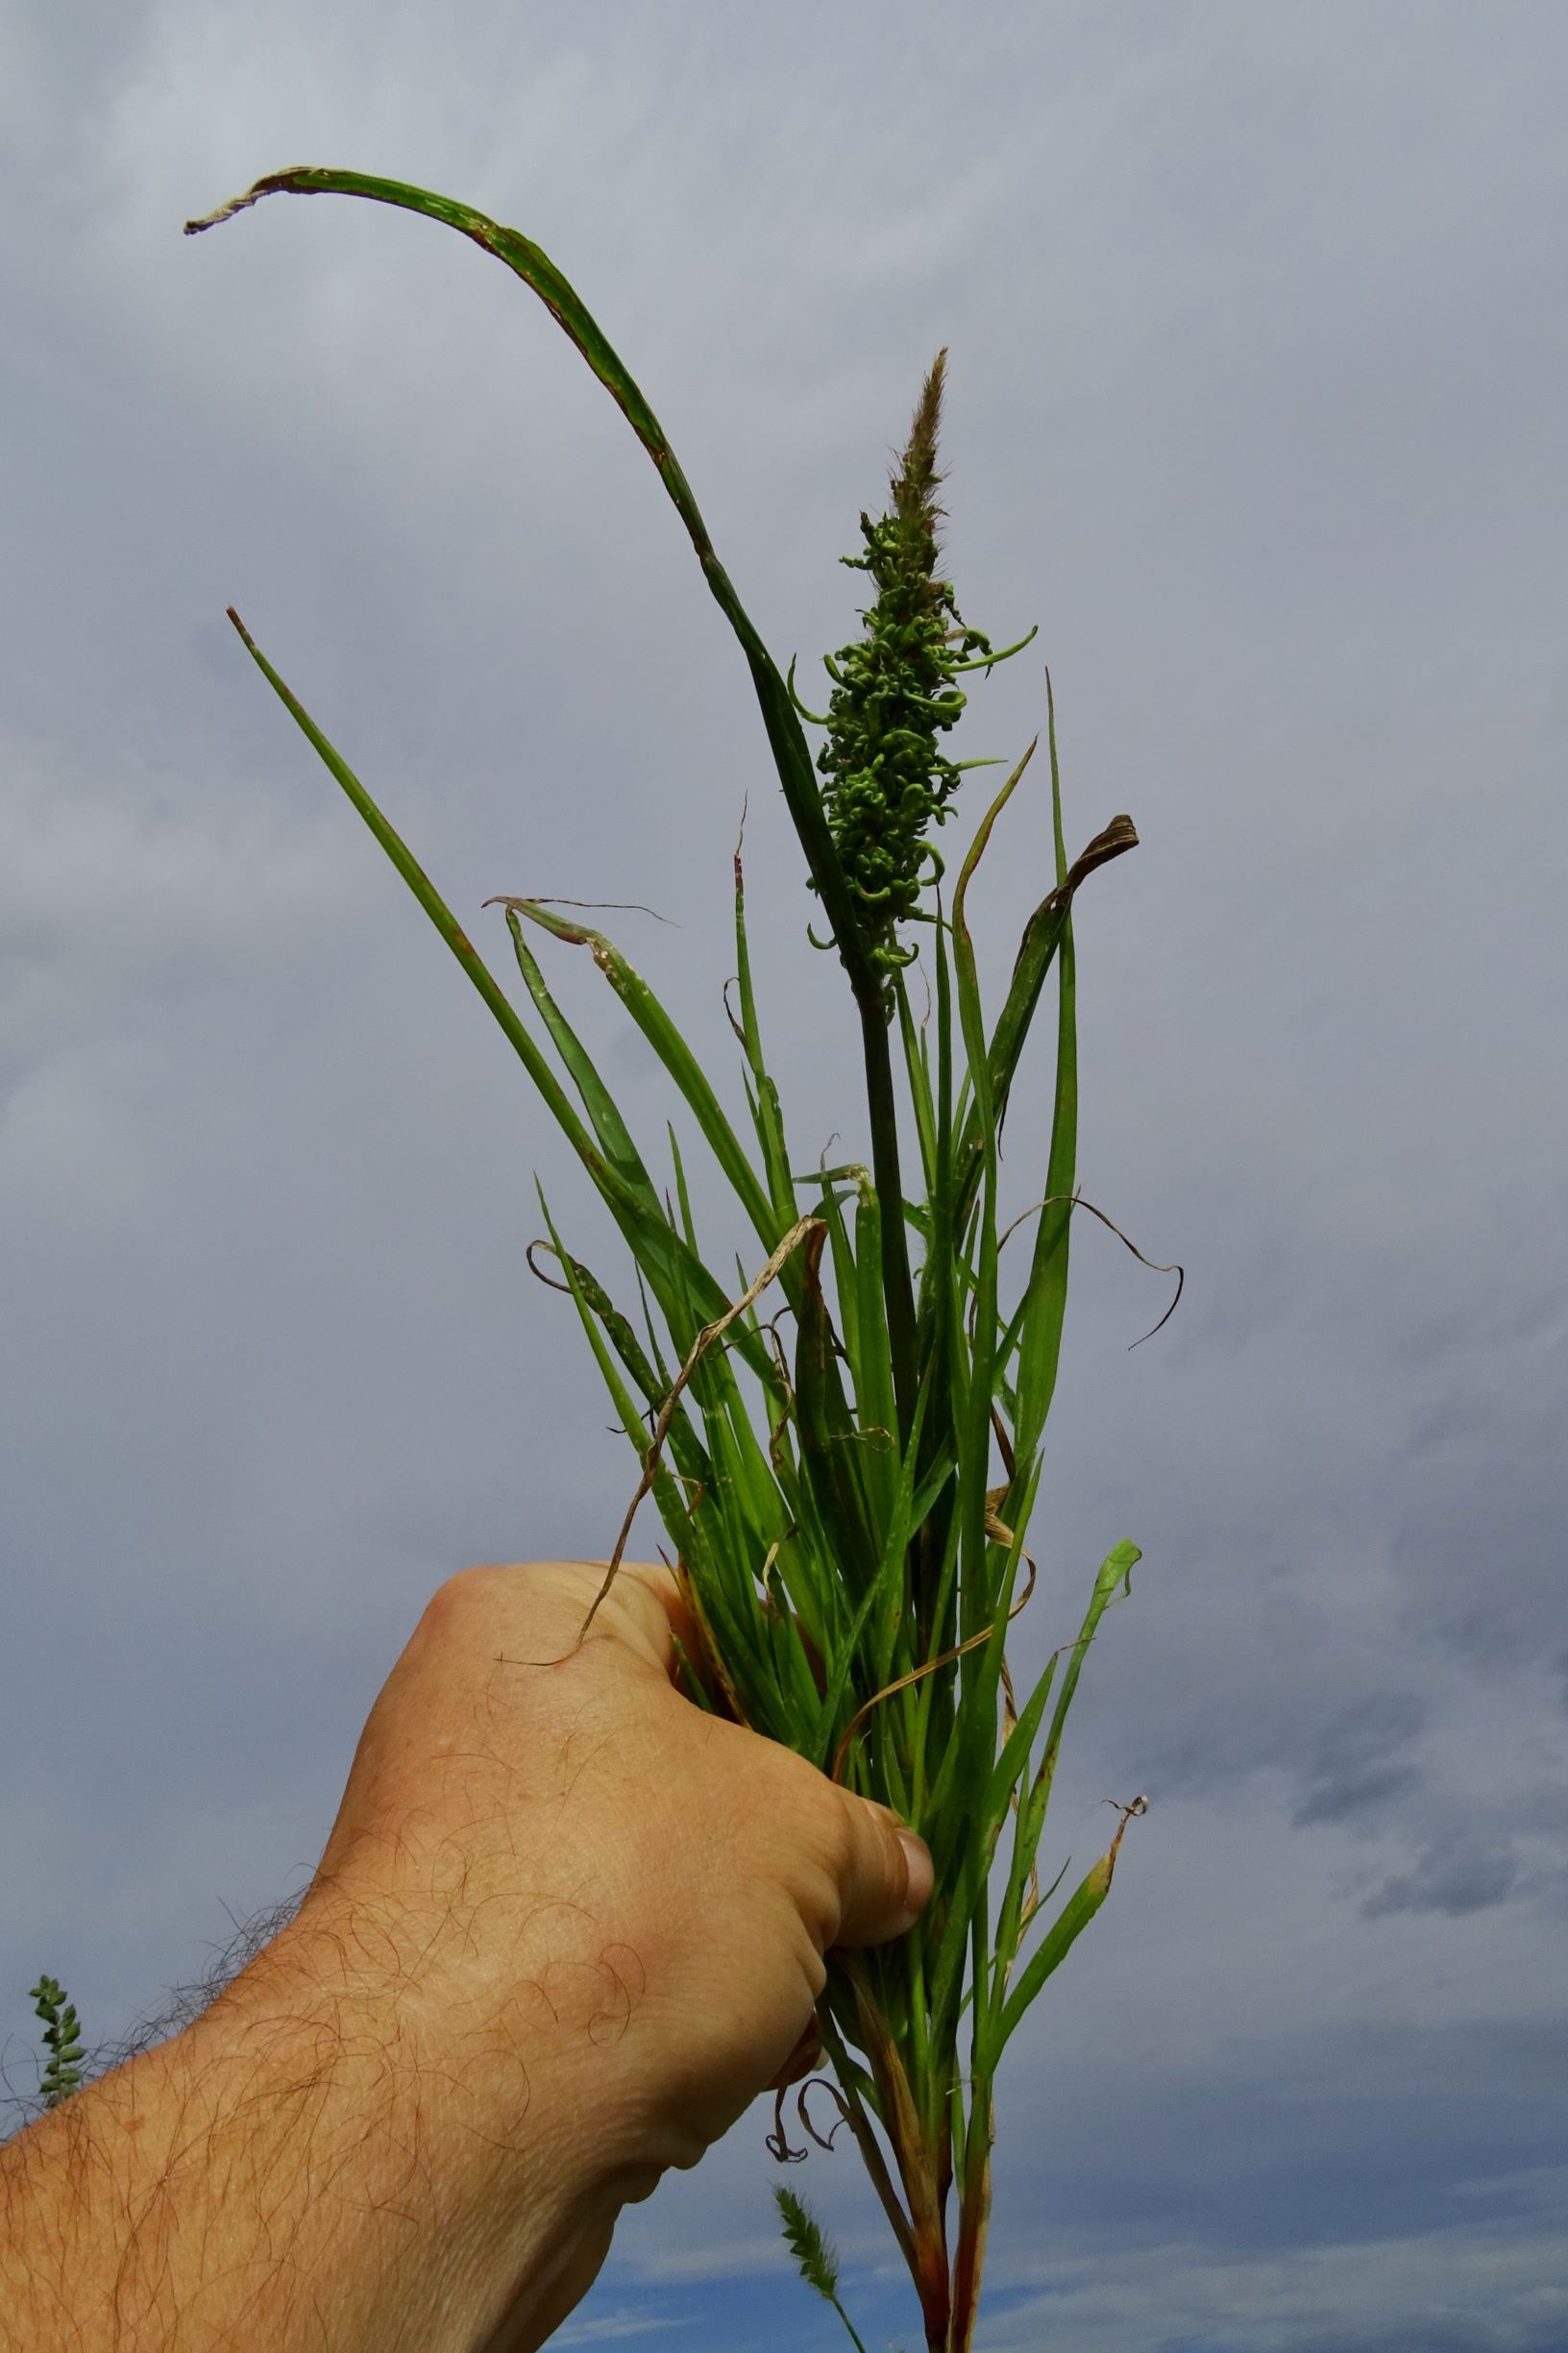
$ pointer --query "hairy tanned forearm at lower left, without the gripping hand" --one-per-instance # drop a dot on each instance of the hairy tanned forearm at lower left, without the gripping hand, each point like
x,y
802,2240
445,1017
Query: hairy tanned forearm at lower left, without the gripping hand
x,y
288,2173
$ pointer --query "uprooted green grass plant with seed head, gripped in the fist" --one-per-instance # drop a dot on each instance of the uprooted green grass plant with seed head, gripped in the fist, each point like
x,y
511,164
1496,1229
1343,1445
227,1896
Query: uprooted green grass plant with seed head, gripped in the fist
x,y
846,1446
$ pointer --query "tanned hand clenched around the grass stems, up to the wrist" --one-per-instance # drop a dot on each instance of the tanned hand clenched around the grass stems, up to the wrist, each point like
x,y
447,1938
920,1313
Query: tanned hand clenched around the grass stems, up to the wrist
x,y
597,1912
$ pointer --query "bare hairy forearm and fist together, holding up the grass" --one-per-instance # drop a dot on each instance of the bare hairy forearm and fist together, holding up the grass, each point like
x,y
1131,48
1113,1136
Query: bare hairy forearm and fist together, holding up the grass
x,y
566,1928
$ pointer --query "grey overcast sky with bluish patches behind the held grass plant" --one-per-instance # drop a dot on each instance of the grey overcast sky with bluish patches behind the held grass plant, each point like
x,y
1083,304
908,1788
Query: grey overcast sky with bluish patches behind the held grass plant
x,y
1258,326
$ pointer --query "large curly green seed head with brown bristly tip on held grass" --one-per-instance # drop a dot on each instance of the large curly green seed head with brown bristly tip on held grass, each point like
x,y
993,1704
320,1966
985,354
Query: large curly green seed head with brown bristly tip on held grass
x,y
886,780
